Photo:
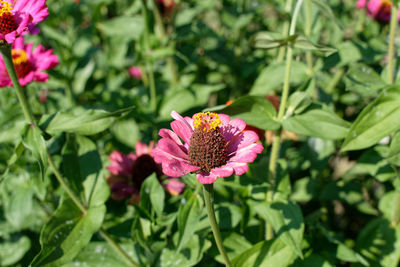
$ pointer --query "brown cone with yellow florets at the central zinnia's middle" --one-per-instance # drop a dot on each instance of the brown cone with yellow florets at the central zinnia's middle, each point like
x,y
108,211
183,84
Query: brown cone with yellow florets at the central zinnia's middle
x,y
207,144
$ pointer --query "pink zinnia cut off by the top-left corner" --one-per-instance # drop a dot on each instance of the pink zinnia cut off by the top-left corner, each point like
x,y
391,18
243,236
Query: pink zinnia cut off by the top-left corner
x,y
19,16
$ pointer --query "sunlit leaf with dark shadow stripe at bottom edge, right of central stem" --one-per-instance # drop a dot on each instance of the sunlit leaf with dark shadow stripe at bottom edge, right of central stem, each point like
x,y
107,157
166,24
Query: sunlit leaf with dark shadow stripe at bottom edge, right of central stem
x,y
266,253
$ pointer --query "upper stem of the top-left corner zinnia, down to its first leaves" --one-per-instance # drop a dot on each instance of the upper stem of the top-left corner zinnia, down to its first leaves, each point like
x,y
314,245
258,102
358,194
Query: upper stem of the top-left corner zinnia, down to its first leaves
x,y
7,58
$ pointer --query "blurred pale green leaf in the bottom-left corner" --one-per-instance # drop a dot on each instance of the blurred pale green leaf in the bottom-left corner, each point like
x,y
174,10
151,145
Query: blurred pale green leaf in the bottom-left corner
x,y
12,250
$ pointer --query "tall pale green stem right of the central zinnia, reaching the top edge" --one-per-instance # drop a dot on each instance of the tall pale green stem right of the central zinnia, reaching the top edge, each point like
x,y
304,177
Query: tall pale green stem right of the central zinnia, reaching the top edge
x,y
282,108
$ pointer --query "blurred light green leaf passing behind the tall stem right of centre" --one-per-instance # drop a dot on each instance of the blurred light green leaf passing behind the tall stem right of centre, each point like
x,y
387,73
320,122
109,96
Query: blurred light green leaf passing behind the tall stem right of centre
x,y
271,77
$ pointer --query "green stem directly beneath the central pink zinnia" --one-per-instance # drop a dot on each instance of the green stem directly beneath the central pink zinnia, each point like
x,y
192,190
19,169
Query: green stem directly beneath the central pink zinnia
x,y
208,192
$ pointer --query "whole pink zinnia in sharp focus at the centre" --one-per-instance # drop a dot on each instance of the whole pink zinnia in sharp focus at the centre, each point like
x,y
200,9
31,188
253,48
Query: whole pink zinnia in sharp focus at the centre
x,y
213,145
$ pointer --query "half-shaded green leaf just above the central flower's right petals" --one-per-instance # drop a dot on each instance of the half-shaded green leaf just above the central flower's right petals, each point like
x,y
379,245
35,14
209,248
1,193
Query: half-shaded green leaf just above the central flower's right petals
x,y
254,110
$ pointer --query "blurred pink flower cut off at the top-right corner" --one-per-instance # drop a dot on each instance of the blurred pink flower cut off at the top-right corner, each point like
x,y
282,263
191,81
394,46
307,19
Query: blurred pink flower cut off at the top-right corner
x,y
379,10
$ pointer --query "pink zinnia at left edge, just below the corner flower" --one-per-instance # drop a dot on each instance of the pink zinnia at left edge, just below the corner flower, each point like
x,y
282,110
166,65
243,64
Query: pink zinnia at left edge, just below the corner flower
x,y
28,63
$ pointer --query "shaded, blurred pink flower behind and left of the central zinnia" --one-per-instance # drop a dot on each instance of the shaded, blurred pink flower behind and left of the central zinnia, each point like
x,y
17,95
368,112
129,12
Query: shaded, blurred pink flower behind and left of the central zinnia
x,y
130,170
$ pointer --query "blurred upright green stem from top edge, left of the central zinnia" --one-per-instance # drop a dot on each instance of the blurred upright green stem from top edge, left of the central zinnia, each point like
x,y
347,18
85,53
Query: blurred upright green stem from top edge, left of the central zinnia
x,y
149,66
